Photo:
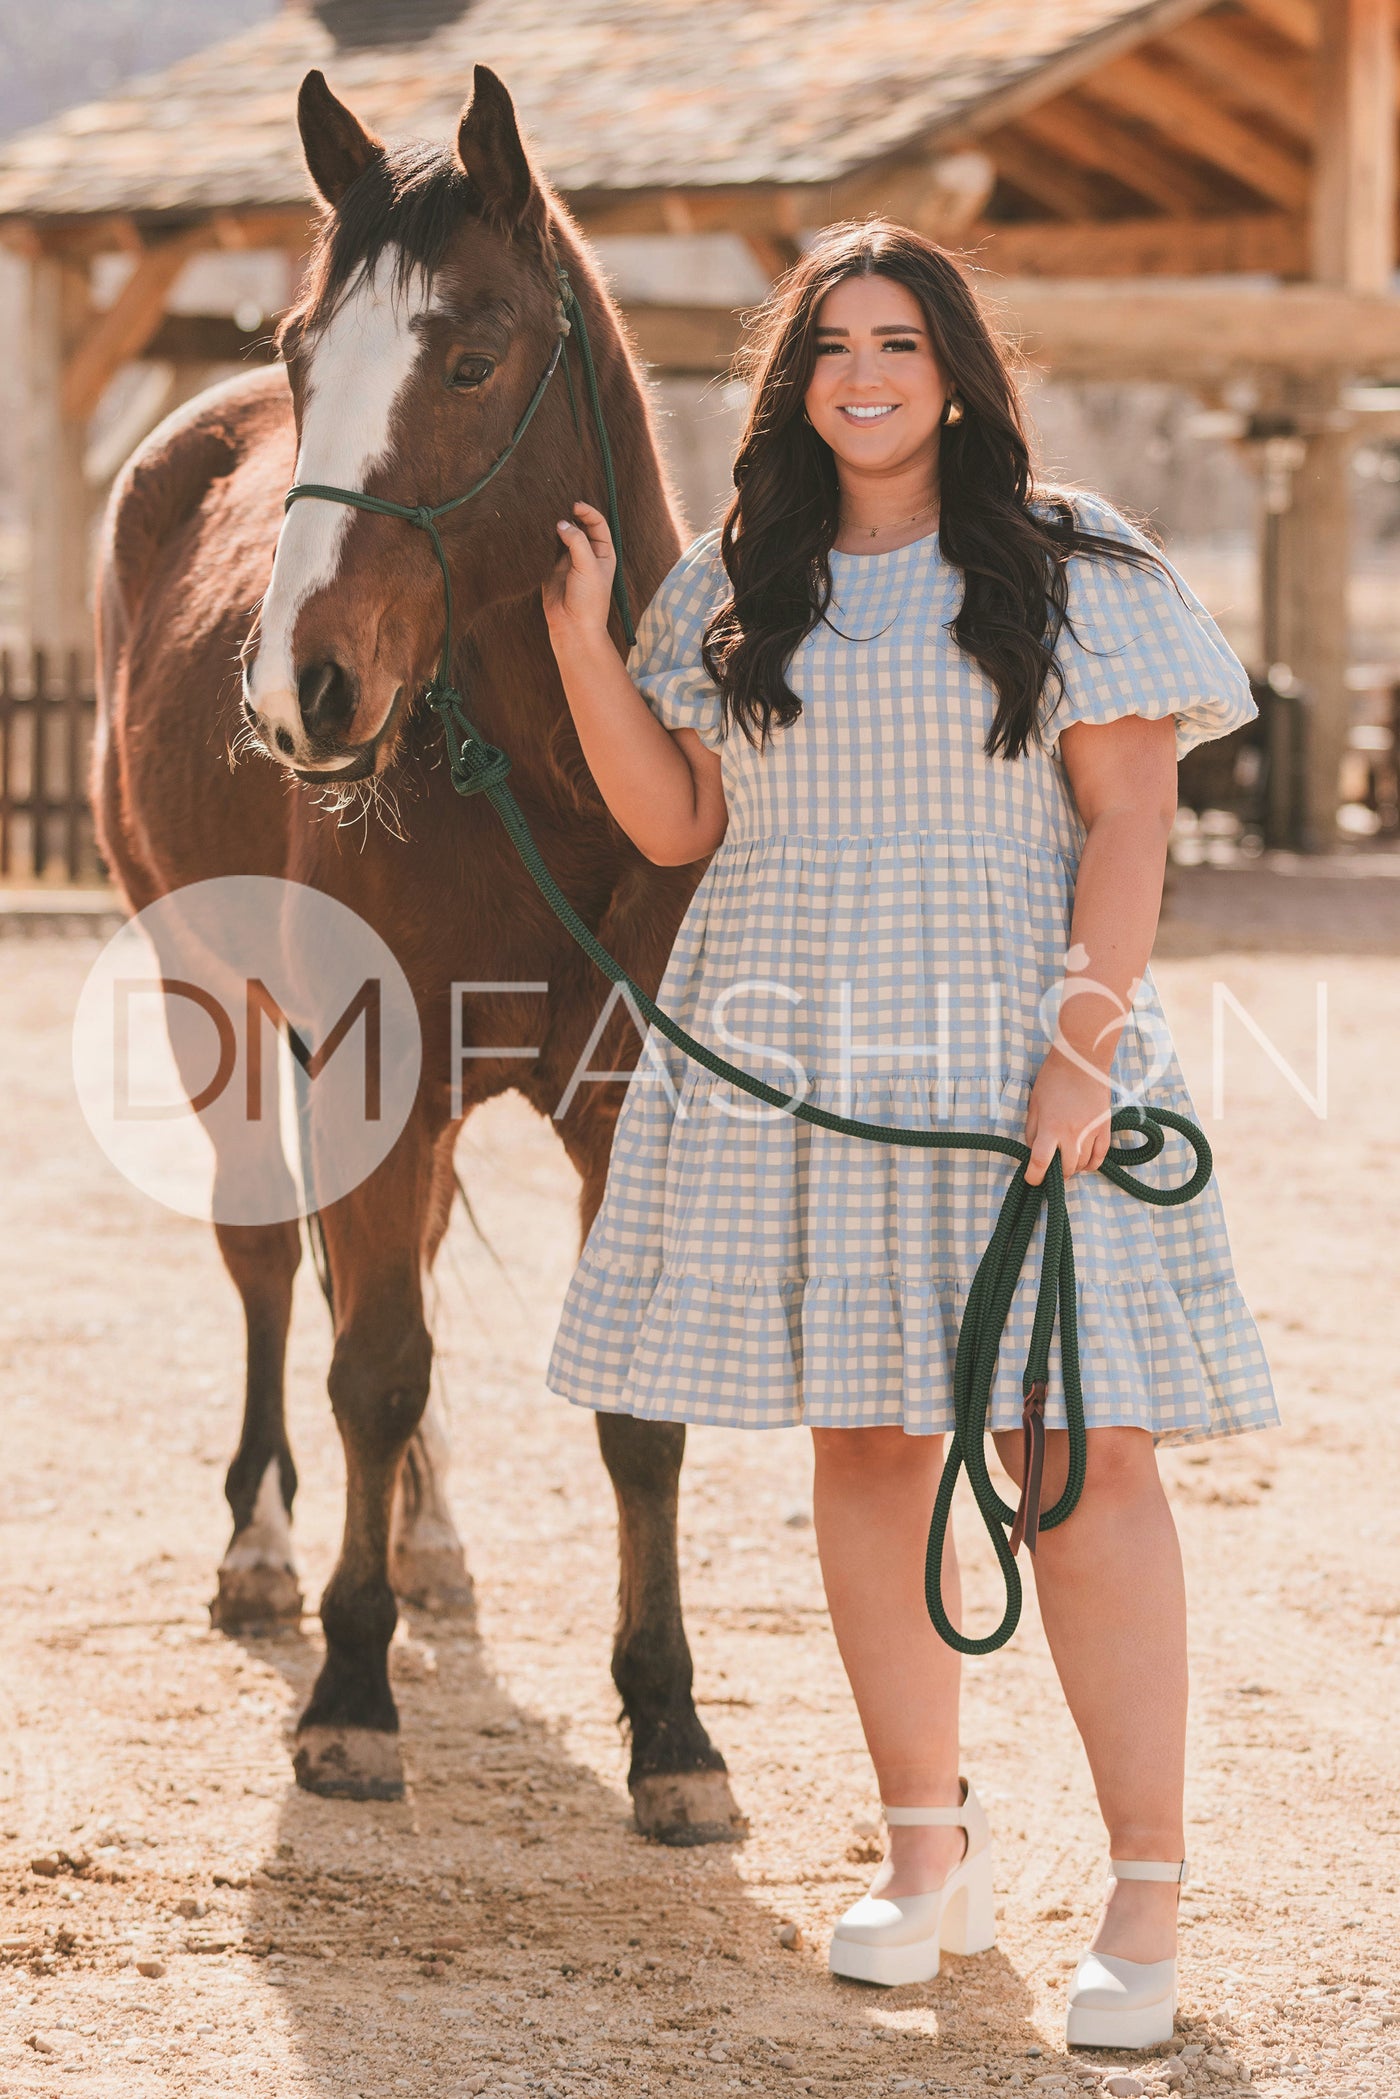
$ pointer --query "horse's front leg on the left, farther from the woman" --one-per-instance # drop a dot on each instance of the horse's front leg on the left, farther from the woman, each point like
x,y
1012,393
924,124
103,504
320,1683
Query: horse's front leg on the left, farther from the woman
x,y
347,1741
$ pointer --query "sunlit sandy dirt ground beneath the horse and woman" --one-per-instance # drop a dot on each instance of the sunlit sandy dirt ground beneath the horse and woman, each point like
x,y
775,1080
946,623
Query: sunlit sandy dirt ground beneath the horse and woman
x,y
175,1917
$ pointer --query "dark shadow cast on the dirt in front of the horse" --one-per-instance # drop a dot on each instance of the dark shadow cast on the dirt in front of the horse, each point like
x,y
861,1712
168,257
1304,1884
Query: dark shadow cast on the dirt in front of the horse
x,y
505,1928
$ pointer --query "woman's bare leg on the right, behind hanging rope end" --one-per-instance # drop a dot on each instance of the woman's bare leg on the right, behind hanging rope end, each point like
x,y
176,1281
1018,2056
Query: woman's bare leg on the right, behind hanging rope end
x,y
1113,1605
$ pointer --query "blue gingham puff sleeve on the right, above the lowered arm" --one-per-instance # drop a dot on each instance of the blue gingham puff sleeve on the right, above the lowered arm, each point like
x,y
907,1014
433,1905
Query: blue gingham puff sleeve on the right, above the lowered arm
x,y
1141,643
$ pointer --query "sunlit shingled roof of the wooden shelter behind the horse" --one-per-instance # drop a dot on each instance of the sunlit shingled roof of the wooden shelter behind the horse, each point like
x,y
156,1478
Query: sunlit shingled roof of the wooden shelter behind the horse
x,y
618,96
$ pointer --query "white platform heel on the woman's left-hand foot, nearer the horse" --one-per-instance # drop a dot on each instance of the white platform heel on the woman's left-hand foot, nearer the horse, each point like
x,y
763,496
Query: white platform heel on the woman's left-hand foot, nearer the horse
x,y
899,1938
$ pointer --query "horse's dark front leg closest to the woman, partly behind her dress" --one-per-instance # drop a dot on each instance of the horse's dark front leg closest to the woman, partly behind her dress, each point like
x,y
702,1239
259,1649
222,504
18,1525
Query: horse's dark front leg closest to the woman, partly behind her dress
x,y
677,1779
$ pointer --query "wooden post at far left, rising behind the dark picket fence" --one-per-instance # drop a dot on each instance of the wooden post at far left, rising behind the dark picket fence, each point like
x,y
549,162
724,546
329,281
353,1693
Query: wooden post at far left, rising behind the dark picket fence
x,y
58,492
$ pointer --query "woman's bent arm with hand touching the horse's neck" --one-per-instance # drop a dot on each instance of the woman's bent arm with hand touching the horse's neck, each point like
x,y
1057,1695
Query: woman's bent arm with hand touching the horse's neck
x,y
662,786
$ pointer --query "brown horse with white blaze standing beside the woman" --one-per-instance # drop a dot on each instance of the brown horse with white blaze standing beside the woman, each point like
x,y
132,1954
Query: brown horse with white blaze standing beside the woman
x,y
429,316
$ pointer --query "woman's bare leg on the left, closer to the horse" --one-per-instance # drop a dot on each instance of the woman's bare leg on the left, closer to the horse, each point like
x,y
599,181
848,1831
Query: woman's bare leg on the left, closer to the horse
x,y
872,1504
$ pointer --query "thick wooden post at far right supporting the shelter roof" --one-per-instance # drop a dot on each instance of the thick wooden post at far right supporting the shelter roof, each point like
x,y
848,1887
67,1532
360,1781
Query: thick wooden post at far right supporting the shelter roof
x,y
1355,251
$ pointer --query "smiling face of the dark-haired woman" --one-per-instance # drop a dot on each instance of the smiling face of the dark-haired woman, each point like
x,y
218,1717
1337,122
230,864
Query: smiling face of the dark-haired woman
x,y
876,389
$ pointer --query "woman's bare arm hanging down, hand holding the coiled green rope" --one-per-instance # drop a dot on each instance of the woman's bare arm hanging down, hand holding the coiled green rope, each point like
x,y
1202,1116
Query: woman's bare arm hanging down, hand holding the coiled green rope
x,y
1124,782
